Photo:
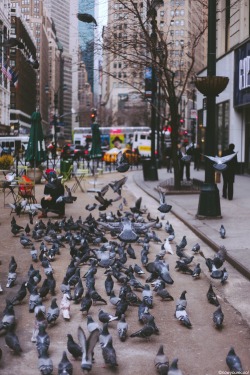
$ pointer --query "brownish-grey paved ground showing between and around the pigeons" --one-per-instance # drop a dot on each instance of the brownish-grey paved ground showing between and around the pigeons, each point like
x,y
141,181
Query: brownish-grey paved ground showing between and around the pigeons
x,y
201,350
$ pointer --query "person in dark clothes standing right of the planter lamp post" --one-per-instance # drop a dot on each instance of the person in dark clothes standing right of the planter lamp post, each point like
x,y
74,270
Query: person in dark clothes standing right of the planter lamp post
x,y
229,173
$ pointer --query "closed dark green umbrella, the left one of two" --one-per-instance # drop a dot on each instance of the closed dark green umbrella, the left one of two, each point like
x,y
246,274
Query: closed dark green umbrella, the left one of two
x,y
36,150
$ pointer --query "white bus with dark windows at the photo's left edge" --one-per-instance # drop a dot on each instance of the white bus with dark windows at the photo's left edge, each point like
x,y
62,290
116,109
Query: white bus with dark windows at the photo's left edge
x,y
11,144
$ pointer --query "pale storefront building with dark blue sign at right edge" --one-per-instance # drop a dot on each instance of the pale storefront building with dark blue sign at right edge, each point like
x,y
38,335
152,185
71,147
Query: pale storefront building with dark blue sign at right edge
x,y
233,104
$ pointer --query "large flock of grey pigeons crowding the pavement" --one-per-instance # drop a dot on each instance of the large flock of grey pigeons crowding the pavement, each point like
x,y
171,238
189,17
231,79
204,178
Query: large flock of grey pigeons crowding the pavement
x,y
104,247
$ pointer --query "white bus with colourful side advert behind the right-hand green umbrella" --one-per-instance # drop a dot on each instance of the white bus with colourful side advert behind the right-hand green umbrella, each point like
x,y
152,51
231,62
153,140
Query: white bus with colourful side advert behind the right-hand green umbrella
x,y
109,135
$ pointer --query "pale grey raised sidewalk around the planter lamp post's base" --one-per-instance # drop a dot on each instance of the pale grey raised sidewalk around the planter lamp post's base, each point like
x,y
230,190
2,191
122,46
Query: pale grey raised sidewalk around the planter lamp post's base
x,y
235,216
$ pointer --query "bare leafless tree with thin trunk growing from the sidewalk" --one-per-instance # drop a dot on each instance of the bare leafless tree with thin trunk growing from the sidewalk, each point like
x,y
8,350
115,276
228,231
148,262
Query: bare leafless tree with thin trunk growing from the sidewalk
x,y
138,41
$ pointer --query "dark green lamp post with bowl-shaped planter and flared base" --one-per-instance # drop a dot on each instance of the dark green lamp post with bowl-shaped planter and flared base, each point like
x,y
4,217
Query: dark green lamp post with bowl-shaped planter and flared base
x,y
210,86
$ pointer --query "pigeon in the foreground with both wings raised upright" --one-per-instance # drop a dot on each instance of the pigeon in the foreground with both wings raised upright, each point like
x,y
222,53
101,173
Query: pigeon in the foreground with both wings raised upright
x,y
87,346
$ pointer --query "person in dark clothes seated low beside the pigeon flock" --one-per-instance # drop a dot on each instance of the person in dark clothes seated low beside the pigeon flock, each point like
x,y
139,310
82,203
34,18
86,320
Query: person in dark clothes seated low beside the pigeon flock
x,y
52,191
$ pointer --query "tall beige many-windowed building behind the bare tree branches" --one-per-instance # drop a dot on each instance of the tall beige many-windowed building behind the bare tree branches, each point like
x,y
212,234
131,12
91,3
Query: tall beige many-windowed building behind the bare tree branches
x,y
177,23
